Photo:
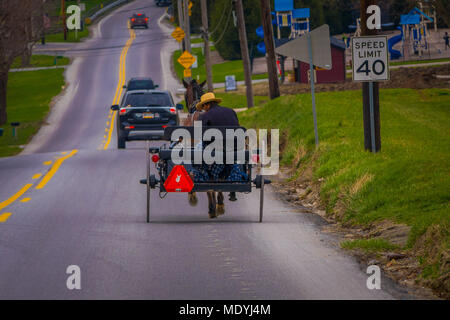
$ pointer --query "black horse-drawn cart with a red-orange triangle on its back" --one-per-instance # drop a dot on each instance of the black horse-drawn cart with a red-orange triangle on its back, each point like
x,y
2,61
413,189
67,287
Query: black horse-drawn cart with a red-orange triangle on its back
x,y
175,175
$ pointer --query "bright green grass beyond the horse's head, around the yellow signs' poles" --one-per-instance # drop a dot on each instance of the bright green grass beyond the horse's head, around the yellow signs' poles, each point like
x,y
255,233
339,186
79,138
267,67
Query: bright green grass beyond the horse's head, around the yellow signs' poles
x,y
219,70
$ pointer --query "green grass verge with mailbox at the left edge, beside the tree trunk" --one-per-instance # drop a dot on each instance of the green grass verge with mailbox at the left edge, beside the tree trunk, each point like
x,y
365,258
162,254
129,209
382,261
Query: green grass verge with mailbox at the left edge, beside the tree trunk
x,y
29,96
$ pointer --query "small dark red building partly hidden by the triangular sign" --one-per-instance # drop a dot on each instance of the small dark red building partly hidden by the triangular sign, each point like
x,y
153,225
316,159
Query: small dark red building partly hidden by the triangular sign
x,y
336,74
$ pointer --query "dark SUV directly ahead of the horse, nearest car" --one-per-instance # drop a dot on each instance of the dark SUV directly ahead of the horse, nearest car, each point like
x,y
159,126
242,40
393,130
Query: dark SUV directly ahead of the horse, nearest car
x,y
143,115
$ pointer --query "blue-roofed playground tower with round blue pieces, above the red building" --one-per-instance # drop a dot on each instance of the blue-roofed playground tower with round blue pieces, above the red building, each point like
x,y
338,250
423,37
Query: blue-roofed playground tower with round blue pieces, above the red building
x,y
286,16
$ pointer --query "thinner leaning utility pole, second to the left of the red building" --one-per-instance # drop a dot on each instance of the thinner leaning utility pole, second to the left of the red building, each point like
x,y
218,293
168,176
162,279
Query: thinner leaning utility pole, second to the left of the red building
x,y
244,52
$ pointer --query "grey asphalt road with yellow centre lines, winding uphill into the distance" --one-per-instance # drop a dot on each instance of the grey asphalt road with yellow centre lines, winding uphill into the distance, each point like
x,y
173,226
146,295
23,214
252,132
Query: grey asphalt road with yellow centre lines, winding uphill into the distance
x,y
87,208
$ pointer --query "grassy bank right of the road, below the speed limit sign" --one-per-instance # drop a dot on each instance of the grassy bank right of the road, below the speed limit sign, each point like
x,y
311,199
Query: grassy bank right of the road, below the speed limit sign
x,y
407,183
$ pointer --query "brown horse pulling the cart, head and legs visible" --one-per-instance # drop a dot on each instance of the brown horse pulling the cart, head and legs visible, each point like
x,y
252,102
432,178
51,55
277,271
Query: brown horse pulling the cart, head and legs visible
x,y
194,91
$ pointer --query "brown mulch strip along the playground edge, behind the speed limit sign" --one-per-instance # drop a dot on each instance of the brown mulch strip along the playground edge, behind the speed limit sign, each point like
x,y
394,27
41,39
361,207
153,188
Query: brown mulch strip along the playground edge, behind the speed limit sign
x,y
414,78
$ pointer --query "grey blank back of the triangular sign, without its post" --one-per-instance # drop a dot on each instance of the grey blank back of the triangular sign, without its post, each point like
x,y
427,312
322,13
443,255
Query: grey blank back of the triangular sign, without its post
x,y
320,43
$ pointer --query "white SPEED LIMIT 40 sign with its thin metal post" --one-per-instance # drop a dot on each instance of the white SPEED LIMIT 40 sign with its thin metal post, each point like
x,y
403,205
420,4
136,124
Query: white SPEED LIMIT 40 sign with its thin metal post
x,y
370,64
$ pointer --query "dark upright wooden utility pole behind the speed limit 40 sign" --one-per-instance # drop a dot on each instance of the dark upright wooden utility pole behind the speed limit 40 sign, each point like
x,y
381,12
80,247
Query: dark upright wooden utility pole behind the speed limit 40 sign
x,y
371,92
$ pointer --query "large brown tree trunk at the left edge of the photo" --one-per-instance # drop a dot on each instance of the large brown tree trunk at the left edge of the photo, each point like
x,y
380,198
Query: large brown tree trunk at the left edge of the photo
x,y
19,23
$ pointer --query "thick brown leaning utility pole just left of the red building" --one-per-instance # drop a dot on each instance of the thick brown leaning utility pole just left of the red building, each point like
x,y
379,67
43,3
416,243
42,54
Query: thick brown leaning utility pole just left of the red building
x,y
270,49
